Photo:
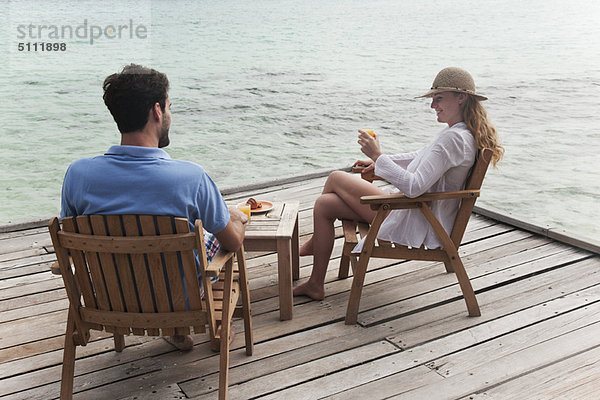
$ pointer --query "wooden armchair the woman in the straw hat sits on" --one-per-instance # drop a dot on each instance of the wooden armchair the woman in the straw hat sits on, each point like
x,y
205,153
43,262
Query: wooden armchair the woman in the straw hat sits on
x,y
447,254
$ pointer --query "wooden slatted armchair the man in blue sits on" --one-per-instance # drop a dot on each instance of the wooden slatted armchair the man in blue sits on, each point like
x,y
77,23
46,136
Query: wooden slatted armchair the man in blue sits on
x,y
130,274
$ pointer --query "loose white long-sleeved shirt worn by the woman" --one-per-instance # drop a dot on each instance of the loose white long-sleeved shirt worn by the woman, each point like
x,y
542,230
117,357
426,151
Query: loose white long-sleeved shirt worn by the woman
x,y
442,166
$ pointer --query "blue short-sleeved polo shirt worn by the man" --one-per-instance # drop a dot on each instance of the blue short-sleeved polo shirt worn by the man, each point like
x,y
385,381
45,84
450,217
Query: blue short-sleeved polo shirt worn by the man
x,y
143,180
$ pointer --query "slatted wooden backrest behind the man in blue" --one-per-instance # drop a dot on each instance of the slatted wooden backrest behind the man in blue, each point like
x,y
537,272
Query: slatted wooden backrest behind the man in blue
x,y
133,273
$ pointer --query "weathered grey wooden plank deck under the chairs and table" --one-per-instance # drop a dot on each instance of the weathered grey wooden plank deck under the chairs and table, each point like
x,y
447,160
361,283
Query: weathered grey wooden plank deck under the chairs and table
x,y
538,336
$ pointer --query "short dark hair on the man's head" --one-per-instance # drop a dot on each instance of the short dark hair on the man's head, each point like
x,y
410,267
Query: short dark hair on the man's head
x,y
130,94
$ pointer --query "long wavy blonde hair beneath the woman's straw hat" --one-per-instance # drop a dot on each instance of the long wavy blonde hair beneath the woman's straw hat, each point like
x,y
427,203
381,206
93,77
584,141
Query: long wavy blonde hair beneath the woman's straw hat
x,y
486,136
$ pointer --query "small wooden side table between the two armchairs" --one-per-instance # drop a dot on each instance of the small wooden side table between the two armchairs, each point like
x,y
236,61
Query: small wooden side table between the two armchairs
x,y
277,230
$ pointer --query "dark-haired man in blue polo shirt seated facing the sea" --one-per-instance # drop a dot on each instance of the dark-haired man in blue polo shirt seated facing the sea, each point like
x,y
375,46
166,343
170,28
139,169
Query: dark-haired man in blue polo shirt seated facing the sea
x,y
138,177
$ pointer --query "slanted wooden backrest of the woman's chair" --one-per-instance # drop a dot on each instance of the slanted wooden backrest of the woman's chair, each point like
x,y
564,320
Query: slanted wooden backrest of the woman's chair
x,y
474,182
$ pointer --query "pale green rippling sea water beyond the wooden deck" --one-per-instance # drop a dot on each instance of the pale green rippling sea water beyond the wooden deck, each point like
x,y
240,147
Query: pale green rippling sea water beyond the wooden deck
x,y
267,89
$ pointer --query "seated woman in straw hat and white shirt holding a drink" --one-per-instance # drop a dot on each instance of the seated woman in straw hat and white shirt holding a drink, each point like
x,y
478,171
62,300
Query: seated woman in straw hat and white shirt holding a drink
x,y
441,166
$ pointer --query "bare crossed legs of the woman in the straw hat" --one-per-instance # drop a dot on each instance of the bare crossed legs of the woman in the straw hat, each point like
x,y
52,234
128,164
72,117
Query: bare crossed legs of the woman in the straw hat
x,y
340,200
